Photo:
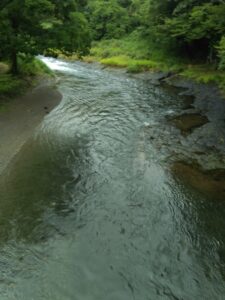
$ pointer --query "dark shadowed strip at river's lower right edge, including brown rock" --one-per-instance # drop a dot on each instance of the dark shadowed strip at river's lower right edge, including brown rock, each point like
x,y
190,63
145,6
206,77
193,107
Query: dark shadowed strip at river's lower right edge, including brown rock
x,y
204,212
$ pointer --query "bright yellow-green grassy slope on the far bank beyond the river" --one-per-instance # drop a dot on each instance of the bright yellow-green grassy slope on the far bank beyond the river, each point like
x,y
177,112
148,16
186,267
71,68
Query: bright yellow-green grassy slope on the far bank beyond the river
x,y
134,53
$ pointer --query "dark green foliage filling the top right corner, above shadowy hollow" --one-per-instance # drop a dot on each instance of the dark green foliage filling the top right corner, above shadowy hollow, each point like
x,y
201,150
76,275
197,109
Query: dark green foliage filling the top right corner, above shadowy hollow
x,y
189,28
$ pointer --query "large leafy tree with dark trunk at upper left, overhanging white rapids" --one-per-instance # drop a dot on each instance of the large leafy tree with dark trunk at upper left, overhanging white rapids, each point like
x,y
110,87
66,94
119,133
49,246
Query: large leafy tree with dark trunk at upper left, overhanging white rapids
x,y
32,26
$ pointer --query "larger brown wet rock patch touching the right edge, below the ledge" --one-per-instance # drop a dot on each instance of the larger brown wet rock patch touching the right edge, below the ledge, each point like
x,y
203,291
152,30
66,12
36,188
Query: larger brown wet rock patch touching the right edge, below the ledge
x,y
210,183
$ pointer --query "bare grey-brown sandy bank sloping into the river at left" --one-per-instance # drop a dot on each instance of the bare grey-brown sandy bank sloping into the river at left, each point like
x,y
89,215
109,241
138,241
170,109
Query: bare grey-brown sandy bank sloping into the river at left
x,y
22,115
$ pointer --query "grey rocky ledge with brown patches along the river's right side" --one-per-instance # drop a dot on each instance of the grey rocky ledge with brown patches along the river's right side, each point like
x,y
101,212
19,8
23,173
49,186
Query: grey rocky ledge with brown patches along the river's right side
x,y
192,141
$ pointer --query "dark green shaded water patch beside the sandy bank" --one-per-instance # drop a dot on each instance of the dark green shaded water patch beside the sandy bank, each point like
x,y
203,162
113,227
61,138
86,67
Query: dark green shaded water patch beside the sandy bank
x,y
35,183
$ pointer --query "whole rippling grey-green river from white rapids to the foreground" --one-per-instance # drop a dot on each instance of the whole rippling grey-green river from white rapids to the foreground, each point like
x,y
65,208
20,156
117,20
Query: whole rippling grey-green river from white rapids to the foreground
x,y
90,210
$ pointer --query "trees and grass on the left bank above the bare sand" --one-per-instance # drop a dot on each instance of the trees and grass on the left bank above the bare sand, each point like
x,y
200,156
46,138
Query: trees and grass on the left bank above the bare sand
x,y
29,28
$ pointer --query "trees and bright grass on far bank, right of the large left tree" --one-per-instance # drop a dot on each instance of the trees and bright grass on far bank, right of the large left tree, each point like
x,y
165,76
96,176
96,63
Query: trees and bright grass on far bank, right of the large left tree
x,y
185,36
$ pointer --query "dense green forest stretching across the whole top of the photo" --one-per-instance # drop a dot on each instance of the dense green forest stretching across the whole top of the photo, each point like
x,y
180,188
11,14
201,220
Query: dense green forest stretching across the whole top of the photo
x,y
188,30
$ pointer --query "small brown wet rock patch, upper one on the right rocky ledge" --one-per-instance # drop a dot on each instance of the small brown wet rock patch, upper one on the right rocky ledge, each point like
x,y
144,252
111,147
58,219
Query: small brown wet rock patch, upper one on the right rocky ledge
x,y
188,122
